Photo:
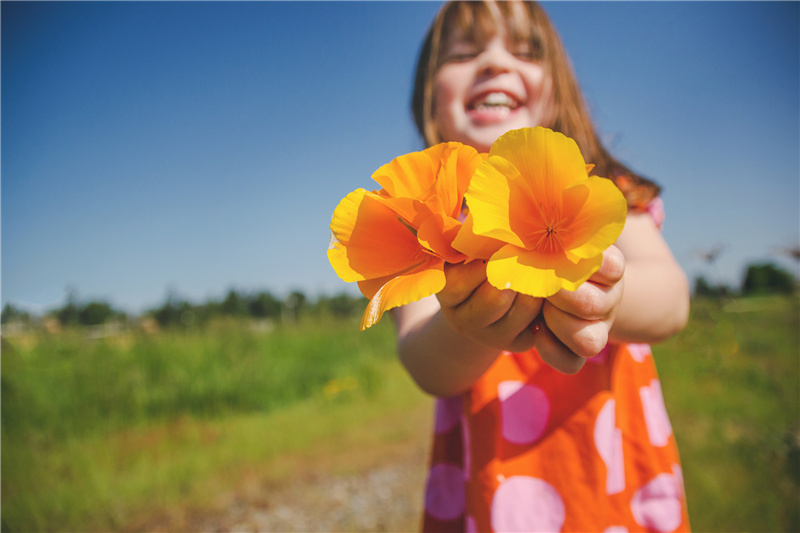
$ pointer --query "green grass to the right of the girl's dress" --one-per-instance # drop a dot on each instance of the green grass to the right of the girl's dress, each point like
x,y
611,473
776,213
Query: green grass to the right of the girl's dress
x,y
732,387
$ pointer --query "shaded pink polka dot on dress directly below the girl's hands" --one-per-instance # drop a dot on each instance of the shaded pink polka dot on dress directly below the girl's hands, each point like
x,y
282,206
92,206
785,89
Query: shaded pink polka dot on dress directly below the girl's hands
x,y
524,411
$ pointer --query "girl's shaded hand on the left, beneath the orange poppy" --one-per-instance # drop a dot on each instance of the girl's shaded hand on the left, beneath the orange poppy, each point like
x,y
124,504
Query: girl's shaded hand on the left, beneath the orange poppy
x,y
474,308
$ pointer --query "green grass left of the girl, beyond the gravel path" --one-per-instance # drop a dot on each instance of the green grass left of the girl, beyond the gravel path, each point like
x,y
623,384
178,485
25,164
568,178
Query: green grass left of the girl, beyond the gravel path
x,y
96,433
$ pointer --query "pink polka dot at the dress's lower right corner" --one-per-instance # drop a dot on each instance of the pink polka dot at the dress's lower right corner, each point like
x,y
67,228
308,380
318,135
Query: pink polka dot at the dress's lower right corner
x,y
657,505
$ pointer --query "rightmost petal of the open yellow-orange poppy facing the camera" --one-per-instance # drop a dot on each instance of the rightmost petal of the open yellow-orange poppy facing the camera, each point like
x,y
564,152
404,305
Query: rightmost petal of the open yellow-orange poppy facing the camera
x,y
600,219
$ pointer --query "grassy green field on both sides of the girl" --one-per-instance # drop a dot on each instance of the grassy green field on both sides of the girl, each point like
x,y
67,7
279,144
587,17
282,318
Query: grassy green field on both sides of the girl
x,y
143,432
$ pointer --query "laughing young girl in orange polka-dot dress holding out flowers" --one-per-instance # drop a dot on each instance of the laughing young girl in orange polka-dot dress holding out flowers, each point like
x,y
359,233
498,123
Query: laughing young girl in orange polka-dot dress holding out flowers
x,y
550,415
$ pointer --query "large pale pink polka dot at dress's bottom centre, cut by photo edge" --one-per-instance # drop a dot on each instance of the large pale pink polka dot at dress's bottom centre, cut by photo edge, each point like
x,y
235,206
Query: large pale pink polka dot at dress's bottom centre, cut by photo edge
x,y
528,504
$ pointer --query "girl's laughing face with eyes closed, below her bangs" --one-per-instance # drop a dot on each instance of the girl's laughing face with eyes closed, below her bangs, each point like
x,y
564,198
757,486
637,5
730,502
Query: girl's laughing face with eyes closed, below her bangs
x,y
482,91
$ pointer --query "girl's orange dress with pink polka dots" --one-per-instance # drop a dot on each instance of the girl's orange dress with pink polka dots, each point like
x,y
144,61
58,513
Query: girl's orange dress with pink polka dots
x,y
530,449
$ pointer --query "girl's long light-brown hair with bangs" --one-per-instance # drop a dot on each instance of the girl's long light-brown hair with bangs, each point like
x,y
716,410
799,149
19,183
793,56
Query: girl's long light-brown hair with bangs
x,y
522,21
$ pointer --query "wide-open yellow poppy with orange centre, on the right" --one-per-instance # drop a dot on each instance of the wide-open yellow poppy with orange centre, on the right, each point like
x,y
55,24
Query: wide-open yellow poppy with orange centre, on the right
x,y
538,216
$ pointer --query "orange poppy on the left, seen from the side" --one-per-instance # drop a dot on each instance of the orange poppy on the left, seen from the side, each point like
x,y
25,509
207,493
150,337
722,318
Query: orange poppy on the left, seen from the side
x,y
394,242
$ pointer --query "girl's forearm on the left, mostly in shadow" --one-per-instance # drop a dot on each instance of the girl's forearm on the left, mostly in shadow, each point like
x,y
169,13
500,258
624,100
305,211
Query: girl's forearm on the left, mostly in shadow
x,y
440,360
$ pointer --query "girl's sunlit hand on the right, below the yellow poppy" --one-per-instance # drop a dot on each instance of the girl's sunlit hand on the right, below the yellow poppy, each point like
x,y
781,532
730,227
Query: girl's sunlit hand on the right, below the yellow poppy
x,y
575,325
